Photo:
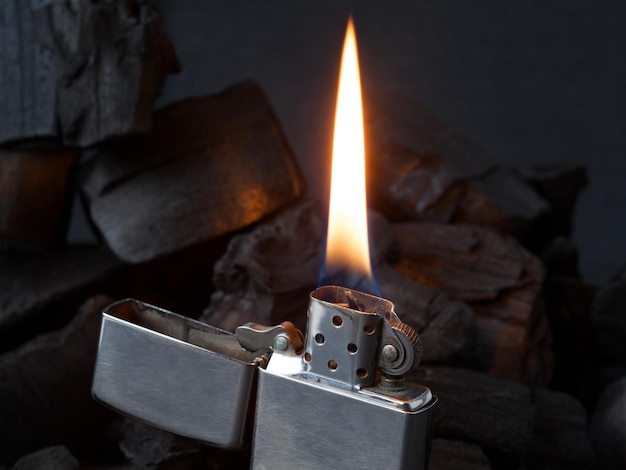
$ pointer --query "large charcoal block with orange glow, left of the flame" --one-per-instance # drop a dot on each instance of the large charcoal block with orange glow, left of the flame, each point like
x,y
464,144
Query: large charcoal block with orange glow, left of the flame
x,y
211,165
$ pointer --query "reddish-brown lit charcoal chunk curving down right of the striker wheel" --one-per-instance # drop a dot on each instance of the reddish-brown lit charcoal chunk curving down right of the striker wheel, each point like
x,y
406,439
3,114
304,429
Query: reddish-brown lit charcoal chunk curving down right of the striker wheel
x,y
500,281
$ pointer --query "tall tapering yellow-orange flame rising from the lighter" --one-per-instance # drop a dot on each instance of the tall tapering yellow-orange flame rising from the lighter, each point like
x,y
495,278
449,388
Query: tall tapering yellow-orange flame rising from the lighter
x,y
347,248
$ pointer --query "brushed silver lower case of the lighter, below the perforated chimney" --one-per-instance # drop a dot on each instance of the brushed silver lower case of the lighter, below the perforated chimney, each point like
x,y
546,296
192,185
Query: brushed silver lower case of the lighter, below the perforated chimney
x,y
304,423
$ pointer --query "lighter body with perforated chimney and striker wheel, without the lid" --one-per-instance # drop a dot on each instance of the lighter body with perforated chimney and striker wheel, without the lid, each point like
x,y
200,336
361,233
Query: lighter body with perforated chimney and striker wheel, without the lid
x,y
329,408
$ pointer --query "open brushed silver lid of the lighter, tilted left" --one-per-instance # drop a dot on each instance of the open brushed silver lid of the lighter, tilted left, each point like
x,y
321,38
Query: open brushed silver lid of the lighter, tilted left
x,y
175,373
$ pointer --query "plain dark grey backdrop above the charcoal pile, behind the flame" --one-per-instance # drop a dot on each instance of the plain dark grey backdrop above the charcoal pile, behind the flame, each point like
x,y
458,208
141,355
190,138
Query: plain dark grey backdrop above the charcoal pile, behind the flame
x,y
535,83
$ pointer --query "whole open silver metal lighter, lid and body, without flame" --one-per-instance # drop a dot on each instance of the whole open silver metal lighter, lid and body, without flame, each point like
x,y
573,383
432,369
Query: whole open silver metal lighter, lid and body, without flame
x,y
332,399
